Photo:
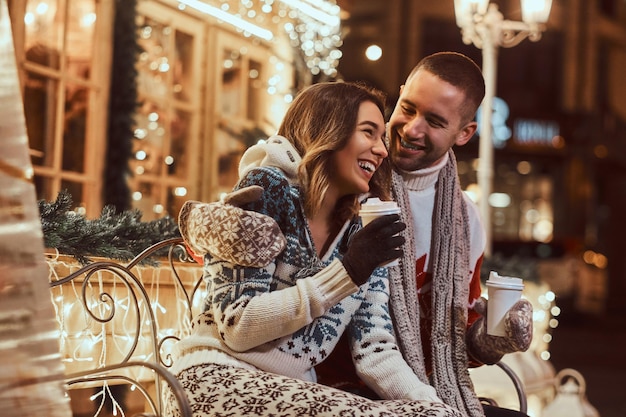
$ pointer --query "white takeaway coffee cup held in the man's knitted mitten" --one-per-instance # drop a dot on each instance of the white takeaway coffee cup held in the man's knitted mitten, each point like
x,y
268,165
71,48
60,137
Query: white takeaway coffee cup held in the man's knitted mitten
x,y
503,292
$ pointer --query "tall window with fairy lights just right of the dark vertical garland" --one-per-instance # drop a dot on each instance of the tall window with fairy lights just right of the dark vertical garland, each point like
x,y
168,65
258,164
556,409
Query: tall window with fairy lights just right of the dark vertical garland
x,y
167,120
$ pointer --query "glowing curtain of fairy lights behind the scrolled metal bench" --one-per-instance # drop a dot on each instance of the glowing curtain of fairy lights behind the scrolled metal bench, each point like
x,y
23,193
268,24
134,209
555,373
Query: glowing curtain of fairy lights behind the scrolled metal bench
x,y
99,328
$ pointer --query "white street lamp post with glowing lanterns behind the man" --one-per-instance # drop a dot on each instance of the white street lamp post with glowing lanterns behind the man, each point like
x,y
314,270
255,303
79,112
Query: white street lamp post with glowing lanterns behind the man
x,y
483,25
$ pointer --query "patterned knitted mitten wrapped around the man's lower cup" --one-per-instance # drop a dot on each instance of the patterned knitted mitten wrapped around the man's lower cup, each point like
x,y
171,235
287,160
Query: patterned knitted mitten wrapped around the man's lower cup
x,y
489,349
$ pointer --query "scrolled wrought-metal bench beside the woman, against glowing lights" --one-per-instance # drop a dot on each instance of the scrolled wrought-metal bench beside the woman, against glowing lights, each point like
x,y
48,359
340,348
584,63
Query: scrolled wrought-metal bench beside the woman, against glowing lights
x,y
107,307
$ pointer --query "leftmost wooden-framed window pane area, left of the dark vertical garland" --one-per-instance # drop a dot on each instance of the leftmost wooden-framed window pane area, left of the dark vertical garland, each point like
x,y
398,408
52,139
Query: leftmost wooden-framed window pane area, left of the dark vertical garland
x,y
58,57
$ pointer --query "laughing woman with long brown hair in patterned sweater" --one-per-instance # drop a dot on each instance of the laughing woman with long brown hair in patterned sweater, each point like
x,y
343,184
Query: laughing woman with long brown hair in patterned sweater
x,y
265,326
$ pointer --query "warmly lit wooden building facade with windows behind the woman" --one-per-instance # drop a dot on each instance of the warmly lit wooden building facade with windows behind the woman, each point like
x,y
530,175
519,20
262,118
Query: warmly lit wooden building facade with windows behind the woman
x,y
192,83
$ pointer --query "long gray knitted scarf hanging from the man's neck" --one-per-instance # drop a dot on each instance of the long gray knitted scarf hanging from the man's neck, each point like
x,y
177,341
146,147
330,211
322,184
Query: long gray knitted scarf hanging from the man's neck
x,y
450,268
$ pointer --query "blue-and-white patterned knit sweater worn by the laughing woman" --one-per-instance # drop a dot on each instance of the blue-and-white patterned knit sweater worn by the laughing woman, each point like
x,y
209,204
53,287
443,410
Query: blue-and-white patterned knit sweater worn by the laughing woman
x,y
287,316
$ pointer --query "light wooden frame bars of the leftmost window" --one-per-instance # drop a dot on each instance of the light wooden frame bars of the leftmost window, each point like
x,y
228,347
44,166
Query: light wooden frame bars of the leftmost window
x,y
90,180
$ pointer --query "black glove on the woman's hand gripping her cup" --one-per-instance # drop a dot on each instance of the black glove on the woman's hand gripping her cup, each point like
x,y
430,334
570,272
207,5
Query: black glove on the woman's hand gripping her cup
x,y
375,244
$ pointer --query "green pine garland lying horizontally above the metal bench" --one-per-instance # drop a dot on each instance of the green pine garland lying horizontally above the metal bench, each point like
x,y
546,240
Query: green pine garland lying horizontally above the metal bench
x,y
120,236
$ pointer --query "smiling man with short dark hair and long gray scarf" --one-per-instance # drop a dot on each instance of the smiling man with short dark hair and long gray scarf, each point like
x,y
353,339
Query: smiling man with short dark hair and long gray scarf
x,y
435,302
